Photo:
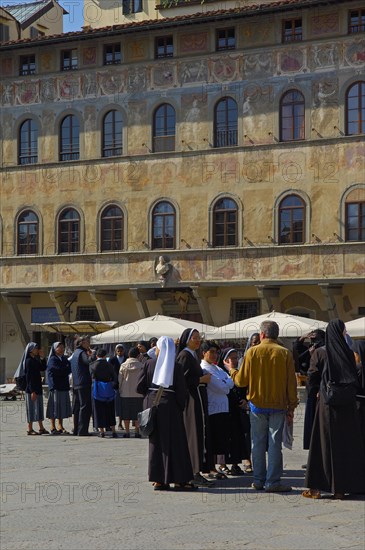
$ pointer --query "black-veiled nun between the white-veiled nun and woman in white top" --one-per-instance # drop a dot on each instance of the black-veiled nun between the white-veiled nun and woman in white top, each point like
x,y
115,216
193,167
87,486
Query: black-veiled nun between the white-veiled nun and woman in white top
x,y
196,410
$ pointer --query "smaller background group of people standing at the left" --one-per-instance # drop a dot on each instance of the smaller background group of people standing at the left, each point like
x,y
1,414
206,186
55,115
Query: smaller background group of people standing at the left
x,y
90,370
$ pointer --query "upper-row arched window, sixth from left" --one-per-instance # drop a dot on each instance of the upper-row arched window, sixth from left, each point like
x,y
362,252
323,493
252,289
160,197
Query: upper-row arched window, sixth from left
x,y
292,111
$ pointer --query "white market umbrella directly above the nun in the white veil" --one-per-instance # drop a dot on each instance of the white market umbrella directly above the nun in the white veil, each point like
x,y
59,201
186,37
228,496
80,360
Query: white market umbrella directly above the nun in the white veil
x,y
155,326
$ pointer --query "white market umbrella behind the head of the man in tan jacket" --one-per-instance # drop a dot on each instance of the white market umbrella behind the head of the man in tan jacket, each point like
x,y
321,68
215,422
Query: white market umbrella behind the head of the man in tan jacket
x,y
291,326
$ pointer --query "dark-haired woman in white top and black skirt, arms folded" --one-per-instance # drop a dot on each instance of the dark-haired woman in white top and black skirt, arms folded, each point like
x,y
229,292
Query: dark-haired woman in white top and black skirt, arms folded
x,y
218,406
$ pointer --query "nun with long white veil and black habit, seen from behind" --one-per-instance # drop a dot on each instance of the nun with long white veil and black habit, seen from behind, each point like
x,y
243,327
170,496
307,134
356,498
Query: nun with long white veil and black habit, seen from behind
x,y
169,459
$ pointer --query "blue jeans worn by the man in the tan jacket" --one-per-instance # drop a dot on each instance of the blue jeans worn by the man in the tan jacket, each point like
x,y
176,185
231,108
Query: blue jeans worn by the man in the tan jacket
x,y
266,435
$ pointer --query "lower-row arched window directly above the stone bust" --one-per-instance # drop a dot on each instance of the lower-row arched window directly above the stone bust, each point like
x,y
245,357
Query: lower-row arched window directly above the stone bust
x,y
163,226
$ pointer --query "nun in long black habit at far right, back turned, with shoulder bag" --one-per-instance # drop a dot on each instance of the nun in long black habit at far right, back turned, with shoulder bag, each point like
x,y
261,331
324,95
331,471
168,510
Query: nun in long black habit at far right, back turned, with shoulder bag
x,y
336,453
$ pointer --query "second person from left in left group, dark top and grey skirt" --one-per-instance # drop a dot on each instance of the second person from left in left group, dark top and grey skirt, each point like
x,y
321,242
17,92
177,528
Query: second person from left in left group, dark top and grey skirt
x,y
58,371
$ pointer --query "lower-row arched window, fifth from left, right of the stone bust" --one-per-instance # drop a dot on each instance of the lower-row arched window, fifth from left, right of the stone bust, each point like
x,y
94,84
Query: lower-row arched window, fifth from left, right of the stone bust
x,y
225,223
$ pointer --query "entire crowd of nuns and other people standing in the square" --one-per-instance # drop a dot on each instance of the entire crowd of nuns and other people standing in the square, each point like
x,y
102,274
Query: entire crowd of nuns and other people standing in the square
x,y
213,411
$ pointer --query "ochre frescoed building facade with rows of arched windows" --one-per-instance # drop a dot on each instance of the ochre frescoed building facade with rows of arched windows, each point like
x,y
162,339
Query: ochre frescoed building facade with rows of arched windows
x,y
209,166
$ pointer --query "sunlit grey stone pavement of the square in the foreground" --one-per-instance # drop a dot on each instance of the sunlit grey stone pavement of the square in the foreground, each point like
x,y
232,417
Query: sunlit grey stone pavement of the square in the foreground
x,y
65,492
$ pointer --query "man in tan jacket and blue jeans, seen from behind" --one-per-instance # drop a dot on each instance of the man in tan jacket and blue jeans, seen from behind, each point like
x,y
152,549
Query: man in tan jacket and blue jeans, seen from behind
x,y
268,372
